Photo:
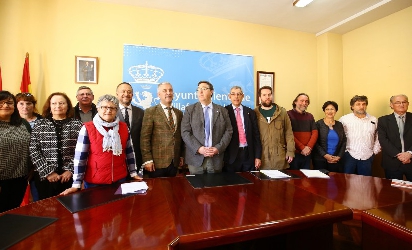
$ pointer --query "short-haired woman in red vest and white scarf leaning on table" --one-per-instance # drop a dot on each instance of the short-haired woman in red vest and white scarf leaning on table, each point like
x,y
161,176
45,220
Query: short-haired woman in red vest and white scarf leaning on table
x,y
104,151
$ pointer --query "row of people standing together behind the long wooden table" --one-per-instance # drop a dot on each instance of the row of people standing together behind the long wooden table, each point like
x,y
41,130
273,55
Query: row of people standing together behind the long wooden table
x,y
67,148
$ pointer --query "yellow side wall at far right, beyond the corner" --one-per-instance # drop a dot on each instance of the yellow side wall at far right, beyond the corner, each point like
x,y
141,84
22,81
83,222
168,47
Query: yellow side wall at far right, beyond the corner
x,y
377,61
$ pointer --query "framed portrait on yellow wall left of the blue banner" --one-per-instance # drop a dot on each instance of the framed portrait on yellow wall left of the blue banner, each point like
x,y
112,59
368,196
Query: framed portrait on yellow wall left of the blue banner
x,y
86,69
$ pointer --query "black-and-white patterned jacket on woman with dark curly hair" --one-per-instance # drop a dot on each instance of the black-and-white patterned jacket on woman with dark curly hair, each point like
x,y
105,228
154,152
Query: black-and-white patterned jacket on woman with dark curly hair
x,y
44,145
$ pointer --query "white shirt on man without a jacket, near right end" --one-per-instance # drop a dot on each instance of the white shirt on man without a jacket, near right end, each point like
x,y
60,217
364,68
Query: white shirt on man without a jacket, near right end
x,y
361,134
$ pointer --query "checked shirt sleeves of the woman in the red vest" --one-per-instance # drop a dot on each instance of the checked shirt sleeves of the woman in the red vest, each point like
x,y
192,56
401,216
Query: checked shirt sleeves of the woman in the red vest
x,y
81,156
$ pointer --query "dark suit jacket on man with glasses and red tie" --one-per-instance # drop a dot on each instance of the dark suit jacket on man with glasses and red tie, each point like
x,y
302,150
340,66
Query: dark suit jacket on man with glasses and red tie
x,y
252,135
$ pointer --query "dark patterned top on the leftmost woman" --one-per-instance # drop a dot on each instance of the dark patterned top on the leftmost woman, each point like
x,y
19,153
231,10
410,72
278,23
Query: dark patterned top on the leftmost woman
x,y
14,150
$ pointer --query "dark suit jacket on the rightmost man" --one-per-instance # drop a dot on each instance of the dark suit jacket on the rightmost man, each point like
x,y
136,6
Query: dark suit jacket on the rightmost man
x,y
389,139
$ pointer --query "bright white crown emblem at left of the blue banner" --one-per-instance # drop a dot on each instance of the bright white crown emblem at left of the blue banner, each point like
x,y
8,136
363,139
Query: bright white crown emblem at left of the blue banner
x,y
145,73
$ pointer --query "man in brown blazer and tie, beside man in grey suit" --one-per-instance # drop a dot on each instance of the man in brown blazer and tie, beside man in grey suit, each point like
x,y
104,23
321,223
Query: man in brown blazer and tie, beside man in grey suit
x,y
160,141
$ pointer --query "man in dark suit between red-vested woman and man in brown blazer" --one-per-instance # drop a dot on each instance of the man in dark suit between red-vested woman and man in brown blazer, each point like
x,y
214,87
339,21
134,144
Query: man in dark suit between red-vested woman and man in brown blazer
x,y
133,117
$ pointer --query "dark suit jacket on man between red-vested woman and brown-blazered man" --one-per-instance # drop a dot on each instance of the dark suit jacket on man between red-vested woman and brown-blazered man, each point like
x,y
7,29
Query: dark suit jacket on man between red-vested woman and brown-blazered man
x,y
136,127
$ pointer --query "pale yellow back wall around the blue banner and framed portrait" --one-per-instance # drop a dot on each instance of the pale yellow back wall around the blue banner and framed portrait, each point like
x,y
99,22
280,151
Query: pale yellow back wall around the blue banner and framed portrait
x,y
55,31
